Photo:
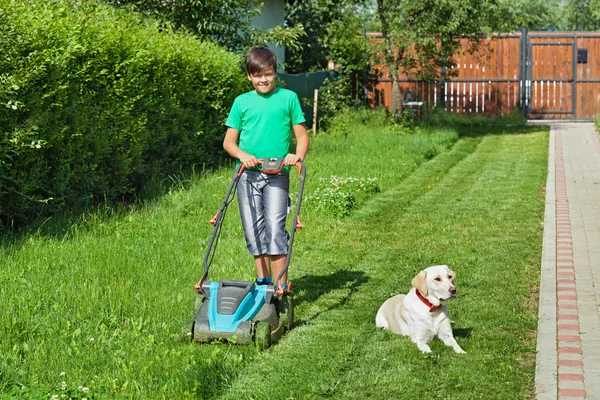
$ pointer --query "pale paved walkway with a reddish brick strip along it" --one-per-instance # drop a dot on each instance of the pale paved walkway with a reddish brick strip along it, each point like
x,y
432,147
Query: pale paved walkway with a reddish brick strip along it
x,y
568,349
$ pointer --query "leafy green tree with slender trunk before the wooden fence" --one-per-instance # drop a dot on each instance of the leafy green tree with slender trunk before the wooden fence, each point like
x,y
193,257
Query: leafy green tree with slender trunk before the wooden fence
x,y
421,36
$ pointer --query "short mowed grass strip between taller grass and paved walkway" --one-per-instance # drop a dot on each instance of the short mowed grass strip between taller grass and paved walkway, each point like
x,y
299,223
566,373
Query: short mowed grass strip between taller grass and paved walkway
x,y
338,353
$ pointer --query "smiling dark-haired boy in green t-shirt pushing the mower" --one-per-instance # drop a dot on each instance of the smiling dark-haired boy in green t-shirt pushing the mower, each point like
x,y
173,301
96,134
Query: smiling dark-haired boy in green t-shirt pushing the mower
x,y
263,120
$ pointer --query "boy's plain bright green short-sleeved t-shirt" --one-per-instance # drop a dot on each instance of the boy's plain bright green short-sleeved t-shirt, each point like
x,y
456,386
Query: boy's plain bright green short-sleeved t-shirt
x,y
265,121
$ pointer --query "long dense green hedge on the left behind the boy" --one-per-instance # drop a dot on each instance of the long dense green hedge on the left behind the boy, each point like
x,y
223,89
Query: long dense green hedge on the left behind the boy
x,y
95,101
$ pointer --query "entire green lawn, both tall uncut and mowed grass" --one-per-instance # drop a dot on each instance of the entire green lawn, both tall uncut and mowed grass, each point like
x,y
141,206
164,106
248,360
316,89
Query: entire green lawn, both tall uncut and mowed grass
x,y
105,303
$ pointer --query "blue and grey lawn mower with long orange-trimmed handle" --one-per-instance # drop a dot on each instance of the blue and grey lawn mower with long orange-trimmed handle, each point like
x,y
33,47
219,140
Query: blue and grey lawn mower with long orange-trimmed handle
x,y
240,311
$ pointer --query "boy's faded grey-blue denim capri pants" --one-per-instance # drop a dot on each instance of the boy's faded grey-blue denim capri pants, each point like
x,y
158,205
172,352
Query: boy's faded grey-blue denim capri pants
x,y
264,204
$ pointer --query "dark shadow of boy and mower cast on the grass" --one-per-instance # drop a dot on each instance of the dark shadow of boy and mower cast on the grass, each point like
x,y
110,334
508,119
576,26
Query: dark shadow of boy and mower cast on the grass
x,y
315,286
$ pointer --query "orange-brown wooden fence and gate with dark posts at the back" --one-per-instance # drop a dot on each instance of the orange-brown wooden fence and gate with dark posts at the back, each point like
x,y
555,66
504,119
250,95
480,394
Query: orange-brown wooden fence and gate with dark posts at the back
x,y
544,75
